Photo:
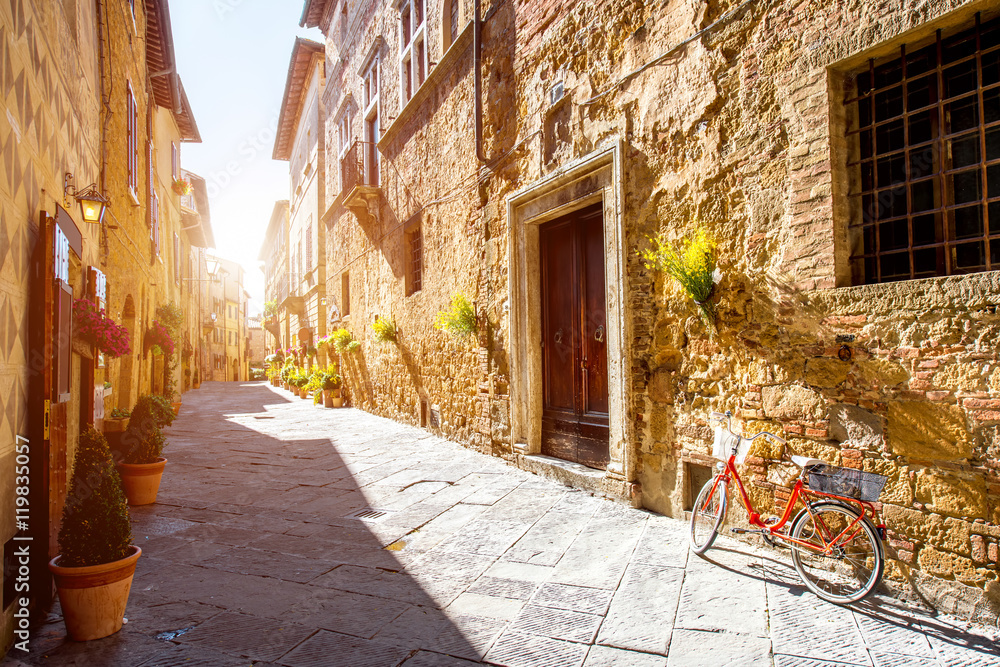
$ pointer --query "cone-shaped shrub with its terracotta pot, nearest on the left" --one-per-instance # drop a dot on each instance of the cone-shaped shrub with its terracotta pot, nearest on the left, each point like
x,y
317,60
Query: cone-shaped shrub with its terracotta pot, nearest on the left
x,y
96,562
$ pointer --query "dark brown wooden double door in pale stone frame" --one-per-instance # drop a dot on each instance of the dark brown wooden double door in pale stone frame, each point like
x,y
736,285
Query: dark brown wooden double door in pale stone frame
x,y
574,339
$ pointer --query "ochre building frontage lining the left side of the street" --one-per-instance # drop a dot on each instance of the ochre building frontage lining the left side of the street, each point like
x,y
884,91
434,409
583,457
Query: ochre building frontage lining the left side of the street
x,y
90,95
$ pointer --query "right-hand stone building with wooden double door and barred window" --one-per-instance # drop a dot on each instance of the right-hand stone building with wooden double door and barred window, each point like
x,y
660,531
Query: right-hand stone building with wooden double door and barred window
x,y
840,153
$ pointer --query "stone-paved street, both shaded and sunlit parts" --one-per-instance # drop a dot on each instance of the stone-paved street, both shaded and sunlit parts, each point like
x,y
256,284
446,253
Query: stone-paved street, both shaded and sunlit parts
x,y
253,555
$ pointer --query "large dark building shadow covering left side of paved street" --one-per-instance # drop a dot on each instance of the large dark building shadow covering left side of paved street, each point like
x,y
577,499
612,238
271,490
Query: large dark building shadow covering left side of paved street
x,y
251,551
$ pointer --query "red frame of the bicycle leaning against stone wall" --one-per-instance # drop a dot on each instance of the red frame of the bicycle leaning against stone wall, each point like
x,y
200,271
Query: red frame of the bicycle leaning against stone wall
x,y
798,491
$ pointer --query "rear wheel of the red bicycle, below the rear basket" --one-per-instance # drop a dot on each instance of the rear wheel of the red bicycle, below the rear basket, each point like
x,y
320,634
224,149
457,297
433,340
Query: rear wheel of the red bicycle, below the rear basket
x,y
853,565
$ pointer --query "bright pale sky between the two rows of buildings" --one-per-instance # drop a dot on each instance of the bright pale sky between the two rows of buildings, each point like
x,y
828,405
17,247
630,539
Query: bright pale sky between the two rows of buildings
x,y
233,57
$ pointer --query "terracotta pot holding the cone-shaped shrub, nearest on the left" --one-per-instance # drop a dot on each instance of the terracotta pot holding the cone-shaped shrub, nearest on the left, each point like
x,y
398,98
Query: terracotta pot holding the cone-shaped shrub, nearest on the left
x,y
93,598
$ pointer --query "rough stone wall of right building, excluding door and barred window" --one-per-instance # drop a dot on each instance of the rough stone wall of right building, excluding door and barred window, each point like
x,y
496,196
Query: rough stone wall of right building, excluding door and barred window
x,y
722,113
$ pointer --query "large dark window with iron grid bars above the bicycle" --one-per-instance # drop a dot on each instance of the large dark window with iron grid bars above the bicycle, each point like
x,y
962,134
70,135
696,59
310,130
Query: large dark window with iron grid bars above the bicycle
x,y
924,162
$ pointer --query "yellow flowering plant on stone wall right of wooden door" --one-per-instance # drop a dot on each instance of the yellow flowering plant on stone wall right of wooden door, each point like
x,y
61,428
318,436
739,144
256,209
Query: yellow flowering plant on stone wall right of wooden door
x,y
691,262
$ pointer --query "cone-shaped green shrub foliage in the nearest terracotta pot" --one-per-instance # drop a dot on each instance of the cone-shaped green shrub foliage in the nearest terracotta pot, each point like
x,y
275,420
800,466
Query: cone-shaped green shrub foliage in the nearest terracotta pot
x,y
95,523
